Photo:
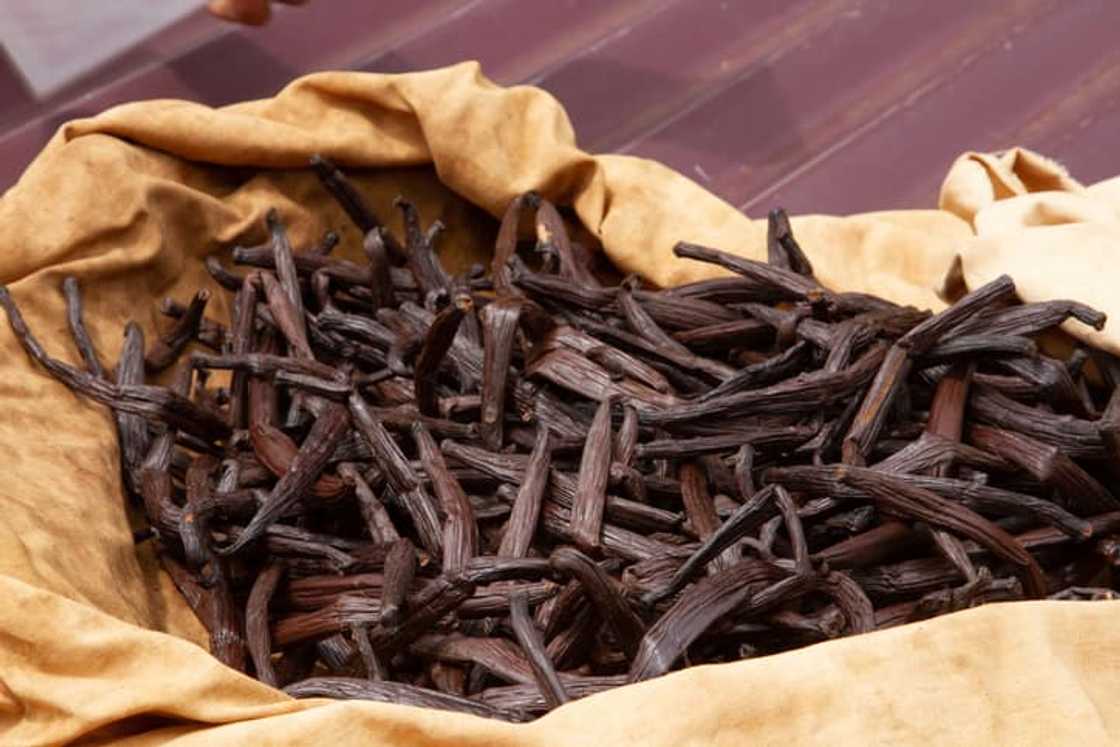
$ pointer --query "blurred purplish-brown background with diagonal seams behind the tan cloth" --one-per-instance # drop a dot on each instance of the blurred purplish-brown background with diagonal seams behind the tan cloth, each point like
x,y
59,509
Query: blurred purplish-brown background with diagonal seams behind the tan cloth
x,y
817,106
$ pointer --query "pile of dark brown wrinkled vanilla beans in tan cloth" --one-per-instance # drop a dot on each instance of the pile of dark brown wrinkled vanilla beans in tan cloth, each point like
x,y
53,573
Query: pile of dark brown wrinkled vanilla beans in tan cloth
x,y
498,492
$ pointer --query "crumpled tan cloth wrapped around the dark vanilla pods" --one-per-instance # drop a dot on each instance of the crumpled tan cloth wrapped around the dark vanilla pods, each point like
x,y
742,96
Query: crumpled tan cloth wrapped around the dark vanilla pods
x,y
97,646
